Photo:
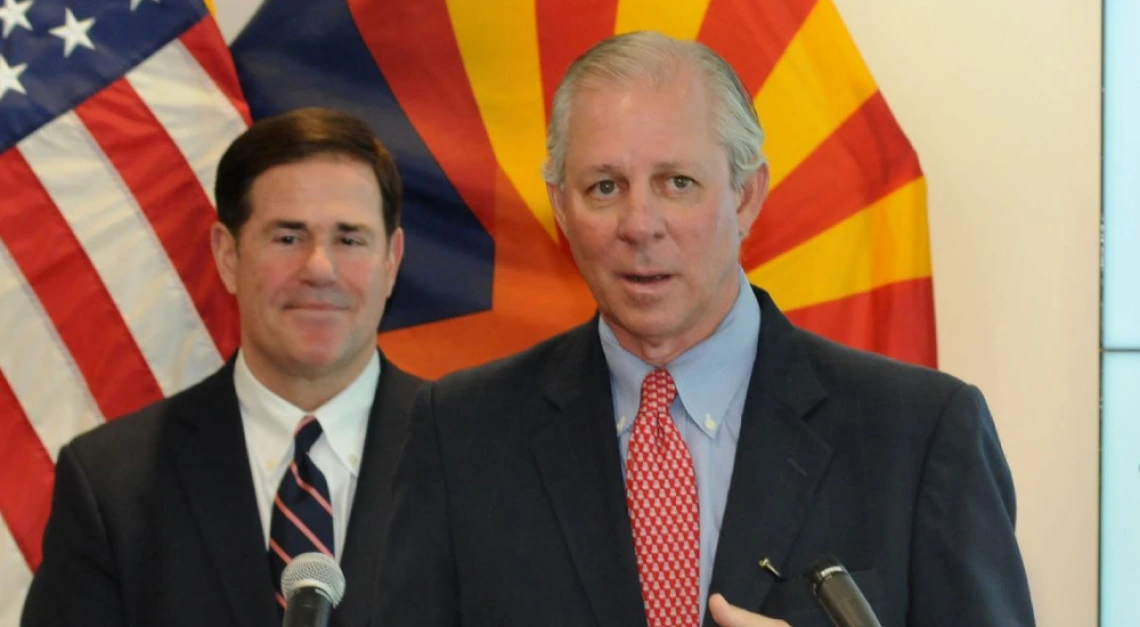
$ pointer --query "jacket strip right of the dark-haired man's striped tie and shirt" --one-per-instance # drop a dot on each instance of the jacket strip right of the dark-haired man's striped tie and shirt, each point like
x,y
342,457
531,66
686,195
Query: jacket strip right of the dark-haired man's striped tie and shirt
x,y
387,429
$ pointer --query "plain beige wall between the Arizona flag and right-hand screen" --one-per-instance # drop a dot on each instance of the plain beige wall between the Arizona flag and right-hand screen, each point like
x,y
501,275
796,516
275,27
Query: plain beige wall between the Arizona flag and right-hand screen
x,y
1003,103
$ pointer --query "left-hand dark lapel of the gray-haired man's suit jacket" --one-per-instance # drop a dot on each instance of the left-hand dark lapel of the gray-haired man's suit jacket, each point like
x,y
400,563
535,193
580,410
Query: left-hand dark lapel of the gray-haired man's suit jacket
x,y
579,460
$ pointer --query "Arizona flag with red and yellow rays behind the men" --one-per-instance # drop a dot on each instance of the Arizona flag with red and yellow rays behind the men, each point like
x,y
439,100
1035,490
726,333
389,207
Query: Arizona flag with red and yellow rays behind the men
x,y
461,92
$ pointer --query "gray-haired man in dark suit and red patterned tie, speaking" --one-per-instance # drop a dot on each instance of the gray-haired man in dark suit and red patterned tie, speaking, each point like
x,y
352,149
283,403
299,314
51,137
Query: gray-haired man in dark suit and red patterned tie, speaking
x,y
659,465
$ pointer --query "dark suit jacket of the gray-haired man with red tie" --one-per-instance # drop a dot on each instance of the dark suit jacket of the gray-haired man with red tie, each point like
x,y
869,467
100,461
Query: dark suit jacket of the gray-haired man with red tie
x,y
510,508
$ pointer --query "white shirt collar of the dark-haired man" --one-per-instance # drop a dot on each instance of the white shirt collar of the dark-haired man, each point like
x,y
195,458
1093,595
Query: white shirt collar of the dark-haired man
x,y
344,419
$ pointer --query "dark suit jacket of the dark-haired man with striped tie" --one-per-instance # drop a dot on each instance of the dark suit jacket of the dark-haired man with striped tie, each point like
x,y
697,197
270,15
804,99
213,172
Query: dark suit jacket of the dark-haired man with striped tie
x,y
154,520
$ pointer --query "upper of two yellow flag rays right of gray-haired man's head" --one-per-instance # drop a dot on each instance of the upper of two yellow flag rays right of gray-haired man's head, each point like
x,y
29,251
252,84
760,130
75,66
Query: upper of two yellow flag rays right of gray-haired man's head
x,y
817,85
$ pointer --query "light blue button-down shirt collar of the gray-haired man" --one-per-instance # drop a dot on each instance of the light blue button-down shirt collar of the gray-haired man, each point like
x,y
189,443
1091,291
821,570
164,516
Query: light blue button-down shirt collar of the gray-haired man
x,y
730,353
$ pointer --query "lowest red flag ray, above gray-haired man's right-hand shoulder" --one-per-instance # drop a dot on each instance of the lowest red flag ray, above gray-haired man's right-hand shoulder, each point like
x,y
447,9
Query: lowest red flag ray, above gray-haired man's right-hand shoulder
x,y
897,321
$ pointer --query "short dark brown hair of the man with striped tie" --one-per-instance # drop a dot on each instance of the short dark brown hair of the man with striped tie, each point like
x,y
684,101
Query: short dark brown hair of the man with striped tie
x,y
298,136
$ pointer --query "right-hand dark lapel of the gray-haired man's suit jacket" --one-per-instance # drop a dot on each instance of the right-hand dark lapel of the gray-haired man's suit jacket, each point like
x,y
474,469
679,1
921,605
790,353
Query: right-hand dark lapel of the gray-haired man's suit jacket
x,y
778,468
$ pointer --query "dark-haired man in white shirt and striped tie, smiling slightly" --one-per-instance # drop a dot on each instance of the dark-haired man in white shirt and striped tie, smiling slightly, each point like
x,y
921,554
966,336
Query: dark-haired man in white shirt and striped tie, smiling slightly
x,y
186,512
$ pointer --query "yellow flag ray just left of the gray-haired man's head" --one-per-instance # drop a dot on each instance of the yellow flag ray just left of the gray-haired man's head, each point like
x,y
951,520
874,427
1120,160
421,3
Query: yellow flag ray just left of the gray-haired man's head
x,y
501,58
